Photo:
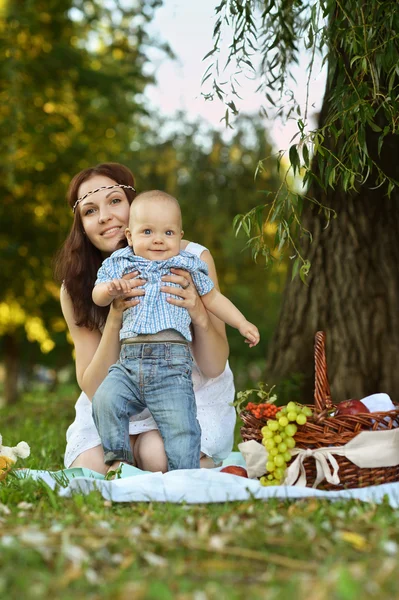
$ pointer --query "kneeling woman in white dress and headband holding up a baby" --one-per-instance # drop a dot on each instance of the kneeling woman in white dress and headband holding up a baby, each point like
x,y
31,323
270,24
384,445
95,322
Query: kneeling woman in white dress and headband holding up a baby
x,y
100,198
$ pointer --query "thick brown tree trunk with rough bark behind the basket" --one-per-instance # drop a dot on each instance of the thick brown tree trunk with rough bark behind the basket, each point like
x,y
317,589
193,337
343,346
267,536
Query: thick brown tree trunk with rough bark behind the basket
x,y
352,294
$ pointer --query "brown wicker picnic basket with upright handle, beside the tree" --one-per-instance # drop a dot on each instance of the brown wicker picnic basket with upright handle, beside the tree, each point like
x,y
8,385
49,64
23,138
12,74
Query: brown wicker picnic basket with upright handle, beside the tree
x,y
323,430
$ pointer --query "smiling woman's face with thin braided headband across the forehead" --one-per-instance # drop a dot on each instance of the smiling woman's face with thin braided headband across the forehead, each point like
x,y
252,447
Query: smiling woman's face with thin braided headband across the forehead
x,y
105,214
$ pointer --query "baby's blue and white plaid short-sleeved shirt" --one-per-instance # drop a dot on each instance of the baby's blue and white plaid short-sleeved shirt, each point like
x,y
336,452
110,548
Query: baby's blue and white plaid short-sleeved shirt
x,y
154,313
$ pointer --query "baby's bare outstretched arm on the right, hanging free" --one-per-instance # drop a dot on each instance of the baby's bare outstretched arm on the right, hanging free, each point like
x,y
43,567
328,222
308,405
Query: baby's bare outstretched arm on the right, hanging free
x,y
225,310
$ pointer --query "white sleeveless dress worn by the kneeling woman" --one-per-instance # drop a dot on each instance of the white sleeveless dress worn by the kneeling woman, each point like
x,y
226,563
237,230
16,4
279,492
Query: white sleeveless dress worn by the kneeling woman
x,y
215,414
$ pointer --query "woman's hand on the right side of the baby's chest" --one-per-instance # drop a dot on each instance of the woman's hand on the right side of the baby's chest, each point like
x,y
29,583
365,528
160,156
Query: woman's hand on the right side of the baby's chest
x,y
185,296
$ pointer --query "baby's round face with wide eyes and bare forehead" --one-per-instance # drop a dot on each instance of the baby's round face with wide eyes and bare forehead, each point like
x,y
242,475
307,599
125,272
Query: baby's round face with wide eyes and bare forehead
x,y
154,230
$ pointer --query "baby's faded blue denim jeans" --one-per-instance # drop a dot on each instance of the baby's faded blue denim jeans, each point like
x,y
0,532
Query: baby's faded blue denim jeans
x,y
157,376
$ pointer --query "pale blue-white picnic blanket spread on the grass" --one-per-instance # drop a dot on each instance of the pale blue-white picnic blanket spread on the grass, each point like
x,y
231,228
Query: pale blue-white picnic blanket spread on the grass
x,y
197,486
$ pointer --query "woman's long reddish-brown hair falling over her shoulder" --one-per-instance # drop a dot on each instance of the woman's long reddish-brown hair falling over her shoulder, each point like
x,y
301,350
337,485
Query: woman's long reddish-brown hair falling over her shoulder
x,y
78,261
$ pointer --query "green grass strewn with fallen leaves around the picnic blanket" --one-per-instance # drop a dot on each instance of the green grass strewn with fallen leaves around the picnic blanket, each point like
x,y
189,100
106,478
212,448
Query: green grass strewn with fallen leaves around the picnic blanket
x,y
85,547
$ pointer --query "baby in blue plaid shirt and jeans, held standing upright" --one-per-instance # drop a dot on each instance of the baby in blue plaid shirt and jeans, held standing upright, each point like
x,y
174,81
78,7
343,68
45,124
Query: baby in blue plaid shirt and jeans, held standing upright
x,y
155,365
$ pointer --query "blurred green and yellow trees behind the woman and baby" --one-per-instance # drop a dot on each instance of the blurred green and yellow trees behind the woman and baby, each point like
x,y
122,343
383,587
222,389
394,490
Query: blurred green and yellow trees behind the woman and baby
x,y
72,77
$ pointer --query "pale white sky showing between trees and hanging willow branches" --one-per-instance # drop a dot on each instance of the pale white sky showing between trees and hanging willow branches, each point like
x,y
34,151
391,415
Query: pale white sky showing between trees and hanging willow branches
x,y
187,26
